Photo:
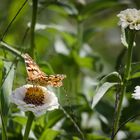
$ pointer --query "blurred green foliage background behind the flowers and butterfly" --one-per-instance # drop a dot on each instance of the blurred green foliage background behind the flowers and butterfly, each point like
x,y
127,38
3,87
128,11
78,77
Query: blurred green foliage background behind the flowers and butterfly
x,y
79,38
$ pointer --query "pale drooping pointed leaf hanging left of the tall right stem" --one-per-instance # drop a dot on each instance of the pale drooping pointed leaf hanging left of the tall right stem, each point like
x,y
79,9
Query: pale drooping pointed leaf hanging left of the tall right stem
x,y
101,91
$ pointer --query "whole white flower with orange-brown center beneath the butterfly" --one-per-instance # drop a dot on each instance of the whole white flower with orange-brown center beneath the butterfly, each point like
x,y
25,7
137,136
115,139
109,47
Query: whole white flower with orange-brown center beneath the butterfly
x,y
36,99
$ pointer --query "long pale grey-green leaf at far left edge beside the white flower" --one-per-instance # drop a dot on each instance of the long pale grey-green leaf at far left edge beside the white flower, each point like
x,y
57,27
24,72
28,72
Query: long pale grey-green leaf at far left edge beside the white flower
x,y
6,89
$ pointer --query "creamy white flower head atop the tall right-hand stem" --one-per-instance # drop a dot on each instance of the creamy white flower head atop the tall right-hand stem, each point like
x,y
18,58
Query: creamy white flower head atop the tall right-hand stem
x,y
130,18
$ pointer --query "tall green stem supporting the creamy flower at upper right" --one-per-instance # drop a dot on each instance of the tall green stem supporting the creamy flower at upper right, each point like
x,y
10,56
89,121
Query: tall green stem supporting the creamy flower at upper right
x,y
125,78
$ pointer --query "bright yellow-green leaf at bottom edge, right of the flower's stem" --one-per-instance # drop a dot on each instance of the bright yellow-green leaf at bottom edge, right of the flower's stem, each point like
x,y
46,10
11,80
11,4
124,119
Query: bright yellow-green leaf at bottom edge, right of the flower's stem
x,y
49,134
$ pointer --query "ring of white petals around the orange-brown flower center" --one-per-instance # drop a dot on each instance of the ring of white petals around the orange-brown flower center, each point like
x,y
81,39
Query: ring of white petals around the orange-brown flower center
x,y
50,101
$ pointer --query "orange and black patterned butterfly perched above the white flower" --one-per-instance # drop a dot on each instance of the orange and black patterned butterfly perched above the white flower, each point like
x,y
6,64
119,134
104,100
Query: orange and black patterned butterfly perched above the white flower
x,y
38,77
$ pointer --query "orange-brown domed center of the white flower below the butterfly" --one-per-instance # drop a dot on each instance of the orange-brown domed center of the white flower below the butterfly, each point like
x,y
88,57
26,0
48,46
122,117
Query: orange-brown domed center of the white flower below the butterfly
x,y
34,95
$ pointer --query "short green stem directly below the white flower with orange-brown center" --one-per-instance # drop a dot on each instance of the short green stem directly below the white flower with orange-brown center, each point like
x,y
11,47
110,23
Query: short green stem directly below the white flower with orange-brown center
x,y
28,125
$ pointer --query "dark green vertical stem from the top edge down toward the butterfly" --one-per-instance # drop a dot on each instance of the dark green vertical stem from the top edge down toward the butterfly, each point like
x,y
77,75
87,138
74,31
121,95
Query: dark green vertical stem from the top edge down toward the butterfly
x,y
33,22
